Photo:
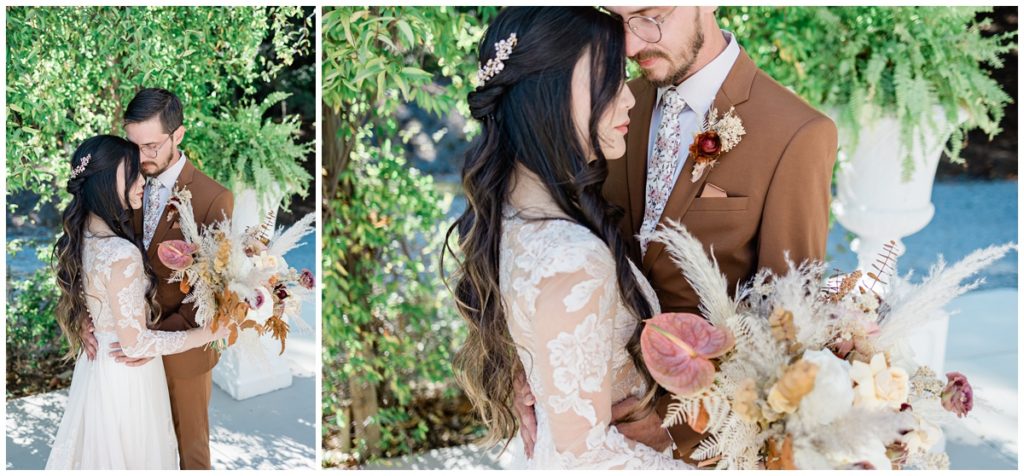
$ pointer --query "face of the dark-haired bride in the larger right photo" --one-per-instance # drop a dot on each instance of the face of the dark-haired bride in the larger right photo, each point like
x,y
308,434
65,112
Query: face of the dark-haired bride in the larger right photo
x,y
614,123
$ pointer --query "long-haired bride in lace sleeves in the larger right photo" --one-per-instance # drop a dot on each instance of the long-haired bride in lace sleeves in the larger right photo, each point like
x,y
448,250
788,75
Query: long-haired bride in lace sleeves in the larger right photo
x,y
544,281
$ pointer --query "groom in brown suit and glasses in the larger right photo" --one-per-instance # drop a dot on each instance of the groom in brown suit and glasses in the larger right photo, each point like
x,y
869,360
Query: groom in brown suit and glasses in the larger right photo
x,y
765,198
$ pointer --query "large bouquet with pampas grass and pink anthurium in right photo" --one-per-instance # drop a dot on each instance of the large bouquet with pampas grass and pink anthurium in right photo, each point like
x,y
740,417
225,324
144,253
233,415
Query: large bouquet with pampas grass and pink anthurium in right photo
x,y
805,372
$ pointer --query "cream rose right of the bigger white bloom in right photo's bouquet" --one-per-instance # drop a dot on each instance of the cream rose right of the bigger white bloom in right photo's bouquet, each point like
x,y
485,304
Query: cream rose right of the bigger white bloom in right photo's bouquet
x,y
879,385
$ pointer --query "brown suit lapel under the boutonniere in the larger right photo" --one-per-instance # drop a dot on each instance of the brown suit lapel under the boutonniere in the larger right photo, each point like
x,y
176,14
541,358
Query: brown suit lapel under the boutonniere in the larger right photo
x,y
735,92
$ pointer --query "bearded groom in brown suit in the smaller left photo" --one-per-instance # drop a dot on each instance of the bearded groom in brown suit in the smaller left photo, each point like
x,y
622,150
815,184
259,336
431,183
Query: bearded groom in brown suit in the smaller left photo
x,y
154,120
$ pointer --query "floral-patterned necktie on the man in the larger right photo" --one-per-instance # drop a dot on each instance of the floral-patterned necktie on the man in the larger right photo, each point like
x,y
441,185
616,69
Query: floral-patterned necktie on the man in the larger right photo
x,y
662,170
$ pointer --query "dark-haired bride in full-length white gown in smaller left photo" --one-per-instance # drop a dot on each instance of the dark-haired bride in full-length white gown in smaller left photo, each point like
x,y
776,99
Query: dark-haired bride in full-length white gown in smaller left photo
x,y
117,417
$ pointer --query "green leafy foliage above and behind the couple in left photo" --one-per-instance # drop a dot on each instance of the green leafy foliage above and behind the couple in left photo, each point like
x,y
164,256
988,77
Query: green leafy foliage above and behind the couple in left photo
x,y
72,71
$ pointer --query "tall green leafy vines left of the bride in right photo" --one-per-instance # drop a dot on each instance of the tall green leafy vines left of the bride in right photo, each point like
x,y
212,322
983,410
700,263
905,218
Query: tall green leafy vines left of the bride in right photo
x,y
390,327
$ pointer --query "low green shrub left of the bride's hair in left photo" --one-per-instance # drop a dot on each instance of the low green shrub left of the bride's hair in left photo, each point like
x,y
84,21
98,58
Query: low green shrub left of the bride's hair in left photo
x,y
35,345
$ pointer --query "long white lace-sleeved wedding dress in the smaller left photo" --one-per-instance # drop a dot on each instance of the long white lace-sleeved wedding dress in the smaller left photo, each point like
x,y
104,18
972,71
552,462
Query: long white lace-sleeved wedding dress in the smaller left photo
x,y
119,417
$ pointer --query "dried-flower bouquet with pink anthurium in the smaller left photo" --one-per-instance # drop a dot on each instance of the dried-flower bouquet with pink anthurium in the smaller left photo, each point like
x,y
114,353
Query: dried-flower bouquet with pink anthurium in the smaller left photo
x,y
238,278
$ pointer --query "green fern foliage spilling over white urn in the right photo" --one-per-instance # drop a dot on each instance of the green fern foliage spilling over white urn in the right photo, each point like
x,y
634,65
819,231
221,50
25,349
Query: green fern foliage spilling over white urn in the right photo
x,y
866,62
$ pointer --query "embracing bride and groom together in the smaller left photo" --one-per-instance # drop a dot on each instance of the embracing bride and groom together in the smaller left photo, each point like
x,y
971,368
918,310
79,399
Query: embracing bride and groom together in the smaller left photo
x,y
126,409
